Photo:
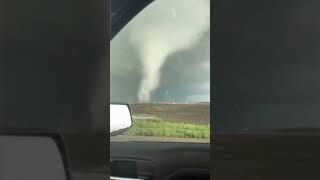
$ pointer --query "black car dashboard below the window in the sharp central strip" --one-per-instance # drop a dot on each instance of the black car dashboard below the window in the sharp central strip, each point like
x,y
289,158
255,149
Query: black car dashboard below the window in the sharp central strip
x,y
159,160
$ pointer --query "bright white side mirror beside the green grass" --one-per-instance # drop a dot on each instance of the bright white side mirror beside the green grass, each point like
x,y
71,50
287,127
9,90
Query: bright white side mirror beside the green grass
x,y
120,118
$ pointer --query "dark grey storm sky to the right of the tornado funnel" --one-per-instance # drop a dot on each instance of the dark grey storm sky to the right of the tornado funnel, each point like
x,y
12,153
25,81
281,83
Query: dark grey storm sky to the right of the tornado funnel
x,y
187,76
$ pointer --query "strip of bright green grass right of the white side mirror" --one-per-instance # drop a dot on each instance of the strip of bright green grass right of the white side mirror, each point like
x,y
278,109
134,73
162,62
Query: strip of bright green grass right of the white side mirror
x,y
160,128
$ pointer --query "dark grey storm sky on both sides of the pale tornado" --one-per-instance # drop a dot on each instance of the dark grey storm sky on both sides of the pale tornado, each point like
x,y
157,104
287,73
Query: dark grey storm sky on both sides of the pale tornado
x,y
184,75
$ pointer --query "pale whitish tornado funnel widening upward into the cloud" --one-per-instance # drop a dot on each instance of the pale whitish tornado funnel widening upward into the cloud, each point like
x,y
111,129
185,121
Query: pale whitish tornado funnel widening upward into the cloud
x,y
162,29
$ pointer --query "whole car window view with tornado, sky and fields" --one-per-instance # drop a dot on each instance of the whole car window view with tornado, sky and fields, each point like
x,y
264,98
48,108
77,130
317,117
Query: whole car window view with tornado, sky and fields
x,y
160,65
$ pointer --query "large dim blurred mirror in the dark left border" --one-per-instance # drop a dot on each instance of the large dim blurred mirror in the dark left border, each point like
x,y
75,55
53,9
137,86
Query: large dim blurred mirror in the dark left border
x,y
32,157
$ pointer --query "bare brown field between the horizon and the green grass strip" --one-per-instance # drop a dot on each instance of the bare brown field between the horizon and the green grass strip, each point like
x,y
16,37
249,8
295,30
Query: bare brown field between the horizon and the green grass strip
x,y
198,113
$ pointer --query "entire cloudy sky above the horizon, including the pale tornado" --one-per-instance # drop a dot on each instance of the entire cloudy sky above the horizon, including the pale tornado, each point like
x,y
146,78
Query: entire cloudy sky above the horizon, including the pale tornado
x,y
172,44
